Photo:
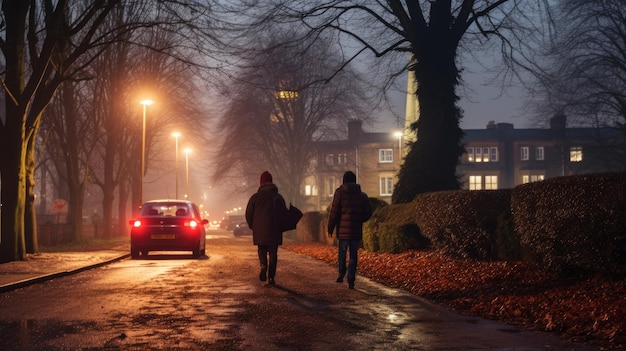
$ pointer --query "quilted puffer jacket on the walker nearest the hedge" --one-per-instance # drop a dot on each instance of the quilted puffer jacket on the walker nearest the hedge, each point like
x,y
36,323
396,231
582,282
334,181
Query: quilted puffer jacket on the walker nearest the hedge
x,y
350,208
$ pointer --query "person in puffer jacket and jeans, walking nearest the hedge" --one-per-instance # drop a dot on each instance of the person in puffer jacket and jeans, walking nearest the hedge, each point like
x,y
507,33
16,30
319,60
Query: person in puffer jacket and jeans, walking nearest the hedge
x,y
349,209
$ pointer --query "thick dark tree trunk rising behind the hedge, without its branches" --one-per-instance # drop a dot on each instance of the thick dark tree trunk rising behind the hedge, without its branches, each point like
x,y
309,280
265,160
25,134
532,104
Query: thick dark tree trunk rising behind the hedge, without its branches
x,y
430,164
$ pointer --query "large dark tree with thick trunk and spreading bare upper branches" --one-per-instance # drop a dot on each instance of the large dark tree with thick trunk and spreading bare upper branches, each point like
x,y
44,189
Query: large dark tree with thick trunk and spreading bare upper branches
x,y
431,34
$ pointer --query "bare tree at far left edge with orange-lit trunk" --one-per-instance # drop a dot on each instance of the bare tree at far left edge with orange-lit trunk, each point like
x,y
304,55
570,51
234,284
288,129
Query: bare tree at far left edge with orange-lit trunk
x,y
41,46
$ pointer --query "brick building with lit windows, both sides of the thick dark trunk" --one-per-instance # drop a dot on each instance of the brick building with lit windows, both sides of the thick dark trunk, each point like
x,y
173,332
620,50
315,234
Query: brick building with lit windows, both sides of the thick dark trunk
x,y
496,157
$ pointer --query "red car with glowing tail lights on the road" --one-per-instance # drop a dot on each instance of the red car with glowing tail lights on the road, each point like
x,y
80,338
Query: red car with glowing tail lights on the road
x,y
168,225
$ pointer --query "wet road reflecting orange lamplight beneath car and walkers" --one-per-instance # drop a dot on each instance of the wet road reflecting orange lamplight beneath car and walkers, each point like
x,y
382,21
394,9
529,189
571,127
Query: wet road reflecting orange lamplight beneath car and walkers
x,y
170,301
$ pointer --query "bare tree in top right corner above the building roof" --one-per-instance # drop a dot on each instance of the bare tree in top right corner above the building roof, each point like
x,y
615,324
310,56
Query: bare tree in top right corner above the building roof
x,y
585,65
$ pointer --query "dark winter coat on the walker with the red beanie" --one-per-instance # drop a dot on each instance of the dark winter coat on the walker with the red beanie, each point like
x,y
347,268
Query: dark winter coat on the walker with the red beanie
x,y
262,213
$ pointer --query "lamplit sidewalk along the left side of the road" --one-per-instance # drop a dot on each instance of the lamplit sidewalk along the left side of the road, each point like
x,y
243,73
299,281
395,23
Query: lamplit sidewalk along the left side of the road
x,y
44,266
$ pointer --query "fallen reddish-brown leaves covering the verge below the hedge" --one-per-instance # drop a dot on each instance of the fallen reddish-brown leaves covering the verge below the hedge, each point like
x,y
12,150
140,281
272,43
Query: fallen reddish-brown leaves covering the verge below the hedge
x,y
584,310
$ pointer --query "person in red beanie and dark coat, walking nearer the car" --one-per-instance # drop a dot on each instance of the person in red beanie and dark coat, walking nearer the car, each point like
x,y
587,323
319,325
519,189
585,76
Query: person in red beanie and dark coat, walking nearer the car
x,y
264,209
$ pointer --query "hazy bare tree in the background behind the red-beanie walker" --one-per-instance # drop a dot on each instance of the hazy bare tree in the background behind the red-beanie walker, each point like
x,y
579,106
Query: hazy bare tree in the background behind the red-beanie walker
x,y
279,106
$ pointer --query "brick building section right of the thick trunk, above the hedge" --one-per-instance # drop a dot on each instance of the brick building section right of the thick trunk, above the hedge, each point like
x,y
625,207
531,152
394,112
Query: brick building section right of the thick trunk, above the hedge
x,y
501,156
